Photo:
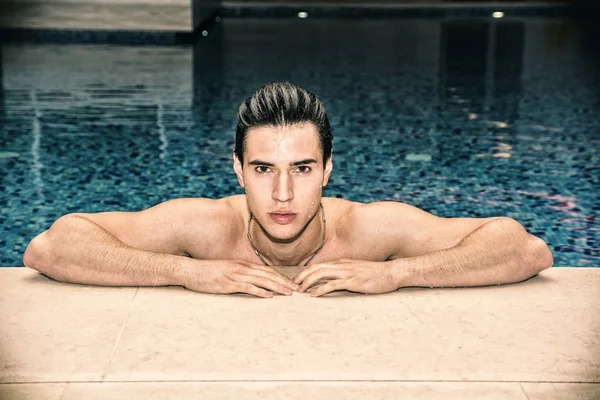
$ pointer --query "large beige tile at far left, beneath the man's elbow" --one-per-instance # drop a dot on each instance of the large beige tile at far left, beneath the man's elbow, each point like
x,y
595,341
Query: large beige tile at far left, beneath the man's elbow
x,y
51,331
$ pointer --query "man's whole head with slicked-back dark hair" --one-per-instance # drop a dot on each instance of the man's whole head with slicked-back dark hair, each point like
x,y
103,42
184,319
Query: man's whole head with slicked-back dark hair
x,y
283,158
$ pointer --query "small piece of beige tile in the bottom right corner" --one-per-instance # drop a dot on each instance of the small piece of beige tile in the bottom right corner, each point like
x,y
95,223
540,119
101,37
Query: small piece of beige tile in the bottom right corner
x,y
562,391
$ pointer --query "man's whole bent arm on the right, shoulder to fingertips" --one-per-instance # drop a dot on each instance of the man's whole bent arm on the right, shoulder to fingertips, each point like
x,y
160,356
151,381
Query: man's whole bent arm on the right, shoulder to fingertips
x,y
427,251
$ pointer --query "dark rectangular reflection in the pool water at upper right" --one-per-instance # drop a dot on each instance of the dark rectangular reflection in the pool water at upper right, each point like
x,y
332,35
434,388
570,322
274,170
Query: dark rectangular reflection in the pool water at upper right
x,y
481,67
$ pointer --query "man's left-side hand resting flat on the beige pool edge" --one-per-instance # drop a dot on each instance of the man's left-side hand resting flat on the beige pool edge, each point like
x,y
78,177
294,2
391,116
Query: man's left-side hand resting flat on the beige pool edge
x,y
223,277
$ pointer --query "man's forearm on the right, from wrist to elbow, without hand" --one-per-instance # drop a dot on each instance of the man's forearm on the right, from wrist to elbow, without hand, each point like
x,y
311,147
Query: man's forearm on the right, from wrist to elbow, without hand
x,y
498,252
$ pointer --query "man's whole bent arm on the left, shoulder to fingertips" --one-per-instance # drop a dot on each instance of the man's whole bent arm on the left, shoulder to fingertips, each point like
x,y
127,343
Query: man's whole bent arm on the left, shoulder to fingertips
x,y
148,248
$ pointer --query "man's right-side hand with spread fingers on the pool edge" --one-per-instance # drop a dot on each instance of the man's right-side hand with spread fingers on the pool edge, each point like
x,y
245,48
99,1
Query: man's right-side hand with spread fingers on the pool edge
x,y
353,275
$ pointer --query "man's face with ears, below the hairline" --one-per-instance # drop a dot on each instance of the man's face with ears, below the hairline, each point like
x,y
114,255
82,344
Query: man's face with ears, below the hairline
x,y
283,175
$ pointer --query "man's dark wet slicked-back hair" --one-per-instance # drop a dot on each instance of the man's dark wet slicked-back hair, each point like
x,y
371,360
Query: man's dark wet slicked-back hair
x,y
282,104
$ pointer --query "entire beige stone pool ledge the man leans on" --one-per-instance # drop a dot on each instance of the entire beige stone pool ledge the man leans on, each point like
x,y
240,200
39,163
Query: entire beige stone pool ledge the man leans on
x,y
538,339
